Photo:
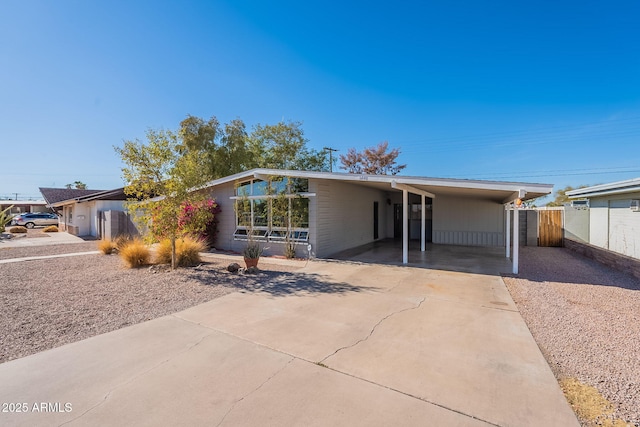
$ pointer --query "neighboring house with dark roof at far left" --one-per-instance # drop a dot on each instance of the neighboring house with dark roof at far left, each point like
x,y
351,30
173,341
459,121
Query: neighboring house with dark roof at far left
x,y
95,213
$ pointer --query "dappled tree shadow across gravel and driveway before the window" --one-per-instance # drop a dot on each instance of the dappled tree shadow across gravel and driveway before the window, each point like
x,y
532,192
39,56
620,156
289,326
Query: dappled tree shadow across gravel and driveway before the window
x,y
275,283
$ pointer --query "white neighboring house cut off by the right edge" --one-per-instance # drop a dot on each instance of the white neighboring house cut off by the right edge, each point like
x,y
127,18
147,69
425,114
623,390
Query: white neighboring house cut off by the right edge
x,y
614,216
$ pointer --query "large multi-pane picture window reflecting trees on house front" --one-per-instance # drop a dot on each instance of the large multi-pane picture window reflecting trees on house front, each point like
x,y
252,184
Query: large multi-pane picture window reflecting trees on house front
x,y
275,210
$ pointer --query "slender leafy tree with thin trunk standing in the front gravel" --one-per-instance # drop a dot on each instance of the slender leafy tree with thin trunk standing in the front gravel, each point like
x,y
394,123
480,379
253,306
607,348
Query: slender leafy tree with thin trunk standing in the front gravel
x,y
160,176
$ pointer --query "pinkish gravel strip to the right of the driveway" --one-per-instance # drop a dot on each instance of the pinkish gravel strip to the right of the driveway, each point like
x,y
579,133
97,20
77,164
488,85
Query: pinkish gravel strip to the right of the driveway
x,y
586,319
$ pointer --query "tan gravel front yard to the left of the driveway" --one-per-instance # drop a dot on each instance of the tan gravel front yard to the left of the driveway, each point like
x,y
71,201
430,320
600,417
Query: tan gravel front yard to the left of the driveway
x,y
50,302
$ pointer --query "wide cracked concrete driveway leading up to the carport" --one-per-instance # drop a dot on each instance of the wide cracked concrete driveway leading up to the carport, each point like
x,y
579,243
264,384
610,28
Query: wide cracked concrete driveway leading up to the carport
x,y
342,344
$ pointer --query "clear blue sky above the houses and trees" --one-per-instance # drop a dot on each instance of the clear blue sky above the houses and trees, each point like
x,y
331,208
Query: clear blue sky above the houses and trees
x,y
537,92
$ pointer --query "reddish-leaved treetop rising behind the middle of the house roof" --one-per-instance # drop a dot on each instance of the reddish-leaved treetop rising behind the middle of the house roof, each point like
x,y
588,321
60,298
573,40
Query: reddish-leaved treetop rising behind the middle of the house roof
x,y
372,160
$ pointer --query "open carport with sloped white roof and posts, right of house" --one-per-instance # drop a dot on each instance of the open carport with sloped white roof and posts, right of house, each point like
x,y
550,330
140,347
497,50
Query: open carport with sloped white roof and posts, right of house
x,y
471,201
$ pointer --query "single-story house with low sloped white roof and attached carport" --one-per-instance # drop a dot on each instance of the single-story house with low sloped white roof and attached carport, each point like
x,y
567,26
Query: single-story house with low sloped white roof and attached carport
x,y
326,212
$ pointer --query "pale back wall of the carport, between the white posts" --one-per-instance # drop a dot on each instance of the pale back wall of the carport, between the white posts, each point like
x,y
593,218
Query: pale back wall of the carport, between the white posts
x,y
468,221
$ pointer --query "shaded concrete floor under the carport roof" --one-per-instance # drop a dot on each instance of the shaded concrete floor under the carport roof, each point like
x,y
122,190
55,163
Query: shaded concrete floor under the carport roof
x,y
467,259
